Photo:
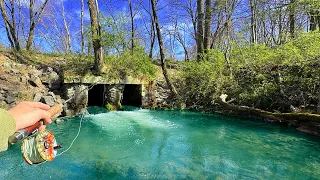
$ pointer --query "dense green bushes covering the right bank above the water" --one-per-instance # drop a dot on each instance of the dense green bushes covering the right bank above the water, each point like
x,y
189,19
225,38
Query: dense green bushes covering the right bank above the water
x,y
262,77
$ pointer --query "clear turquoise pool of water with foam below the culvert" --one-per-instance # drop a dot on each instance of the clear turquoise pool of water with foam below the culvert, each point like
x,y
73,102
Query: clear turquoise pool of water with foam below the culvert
x,y
147,144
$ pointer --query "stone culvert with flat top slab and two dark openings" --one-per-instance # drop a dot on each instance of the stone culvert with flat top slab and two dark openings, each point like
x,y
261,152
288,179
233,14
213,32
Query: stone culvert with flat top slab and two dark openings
x,y
99,91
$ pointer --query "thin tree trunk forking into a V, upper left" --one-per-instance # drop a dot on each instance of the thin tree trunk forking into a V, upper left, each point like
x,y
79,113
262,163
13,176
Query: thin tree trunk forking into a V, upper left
x,y
34,19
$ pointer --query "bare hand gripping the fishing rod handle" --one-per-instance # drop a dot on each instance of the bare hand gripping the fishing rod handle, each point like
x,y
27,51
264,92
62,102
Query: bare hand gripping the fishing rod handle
x,y
28,113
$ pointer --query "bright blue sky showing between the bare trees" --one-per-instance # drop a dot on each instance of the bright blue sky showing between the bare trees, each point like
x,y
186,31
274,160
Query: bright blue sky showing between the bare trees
x,y
51,23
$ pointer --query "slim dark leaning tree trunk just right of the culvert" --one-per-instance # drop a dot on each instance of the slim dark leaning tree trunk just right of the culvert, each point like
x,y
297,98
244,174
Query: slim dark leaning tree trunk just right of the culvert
x,y
162,57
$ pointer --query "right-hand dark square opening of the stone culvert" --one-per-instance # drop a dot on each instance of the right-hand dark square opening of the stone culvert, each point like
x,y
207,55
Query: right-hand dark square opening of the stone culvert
x,y
132,95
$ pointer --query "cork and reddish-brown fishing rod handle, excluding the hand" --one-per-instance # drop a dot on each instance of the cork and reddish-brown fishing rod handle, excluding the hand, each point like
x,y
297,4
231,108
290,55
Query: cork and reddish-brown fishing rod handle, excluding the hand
x,y
22,133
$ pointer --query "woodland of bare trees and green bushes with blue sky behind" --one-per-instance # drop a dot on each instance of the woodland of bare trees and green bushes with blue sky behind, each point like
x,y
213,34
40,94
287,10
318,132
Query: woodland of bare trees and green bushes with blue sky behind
x,y
263,54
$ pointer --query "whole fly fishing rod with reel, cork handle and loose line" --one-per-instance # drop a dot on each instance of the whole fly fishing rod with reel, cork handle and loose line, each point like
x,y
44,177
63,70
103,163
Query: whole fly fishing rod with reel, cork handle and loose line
x,y
41,146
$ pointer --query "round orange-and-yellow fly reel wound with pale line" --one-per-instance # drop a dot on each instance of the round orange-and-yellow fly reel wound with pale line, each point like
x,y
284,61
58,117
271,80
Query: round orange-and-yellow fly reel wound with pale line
x,y
39,148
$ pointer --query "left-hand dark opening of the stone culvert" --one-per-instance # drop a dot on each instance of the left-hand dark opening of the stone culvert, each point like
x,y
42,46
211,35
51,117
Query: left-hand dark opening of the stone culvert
x,y
96,95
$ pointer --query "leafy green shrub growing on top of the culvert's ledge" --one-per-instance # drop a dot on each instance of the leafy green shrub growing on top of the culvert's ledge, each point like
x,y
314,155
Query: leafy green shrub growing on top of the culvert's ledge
x,y
138,64
